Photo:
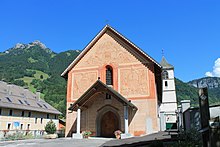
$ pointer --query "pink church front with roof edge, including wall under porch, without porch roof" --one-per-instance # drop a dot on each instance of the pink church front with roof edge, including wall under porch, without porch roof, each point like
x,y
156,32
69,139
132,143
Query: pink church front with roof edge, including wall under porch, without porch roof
x,y
134,77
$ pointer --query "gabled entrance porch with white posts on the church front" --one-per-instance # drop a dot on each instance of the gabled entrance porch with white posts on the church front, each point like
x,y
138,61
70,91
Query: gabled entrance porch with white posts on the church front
x,y
86,101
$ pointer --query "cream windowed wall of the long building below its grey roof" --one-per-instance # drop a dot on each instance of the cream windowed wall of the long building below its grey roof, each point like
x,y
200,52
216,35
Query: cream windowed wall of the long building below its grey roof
x,y
34,120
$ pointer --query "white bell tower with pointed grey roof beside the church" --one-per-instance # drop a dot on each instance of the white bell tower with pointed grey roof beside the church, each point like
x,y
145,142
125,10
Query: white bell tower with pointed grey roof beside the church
x,y
168,106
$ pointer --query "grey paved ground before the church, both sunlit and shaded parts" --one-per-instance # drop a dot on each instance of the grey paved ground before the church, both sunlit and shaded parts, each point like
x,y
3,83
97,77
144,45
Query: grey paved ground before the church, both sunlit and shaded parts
x,y
91,142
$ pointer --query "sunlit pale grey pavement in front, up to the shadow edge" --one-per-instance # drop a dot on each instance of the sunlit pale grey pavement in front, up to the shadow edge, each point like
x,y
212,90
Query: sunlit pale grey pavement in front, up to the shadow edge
x,y
60,142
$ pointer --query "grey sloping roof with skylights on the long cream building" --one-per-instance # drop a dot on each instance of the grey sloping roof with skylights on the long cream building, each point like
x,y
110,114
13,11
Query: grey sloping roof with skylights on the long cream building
x,y
19,98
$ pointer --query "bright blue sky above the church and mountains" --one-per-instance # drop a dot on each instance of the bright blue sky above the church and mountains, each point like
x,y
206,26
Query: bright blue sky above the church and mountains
x,y
187,30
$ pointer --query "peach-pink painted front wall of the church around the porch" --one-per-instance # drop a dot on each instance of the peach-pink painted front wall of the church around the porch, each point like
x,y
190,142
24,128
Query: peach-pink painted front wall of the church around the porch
x,y
132,77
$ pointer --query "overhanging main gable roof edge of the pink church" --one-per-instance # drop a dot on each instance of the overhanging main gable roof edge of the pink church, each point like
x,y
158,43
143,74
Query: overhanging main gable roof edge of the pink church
x,y
85,50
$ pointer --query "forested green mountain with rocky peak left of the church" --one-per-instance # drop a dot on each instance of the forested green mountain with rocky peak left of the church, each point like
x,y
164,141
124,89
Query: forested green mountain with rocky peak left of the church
x,y
39,68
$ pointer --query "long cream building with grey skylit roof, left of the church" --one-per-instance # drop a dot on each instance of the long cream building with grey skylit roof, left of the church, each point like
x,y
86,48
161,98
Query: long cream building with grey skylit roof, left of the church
x,y
23,111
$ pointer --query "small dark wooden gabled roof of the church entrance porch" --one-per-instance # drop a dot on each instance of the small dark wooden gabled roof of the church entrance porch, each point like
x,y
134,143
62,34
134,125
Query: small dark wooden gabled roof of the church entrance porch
x,y
99,86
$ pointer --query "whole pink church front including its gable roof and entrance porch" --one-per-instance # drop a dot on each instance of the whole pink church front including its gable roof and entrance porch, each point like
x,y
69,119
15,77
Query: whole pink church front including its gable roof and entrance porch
x,y
113,85
